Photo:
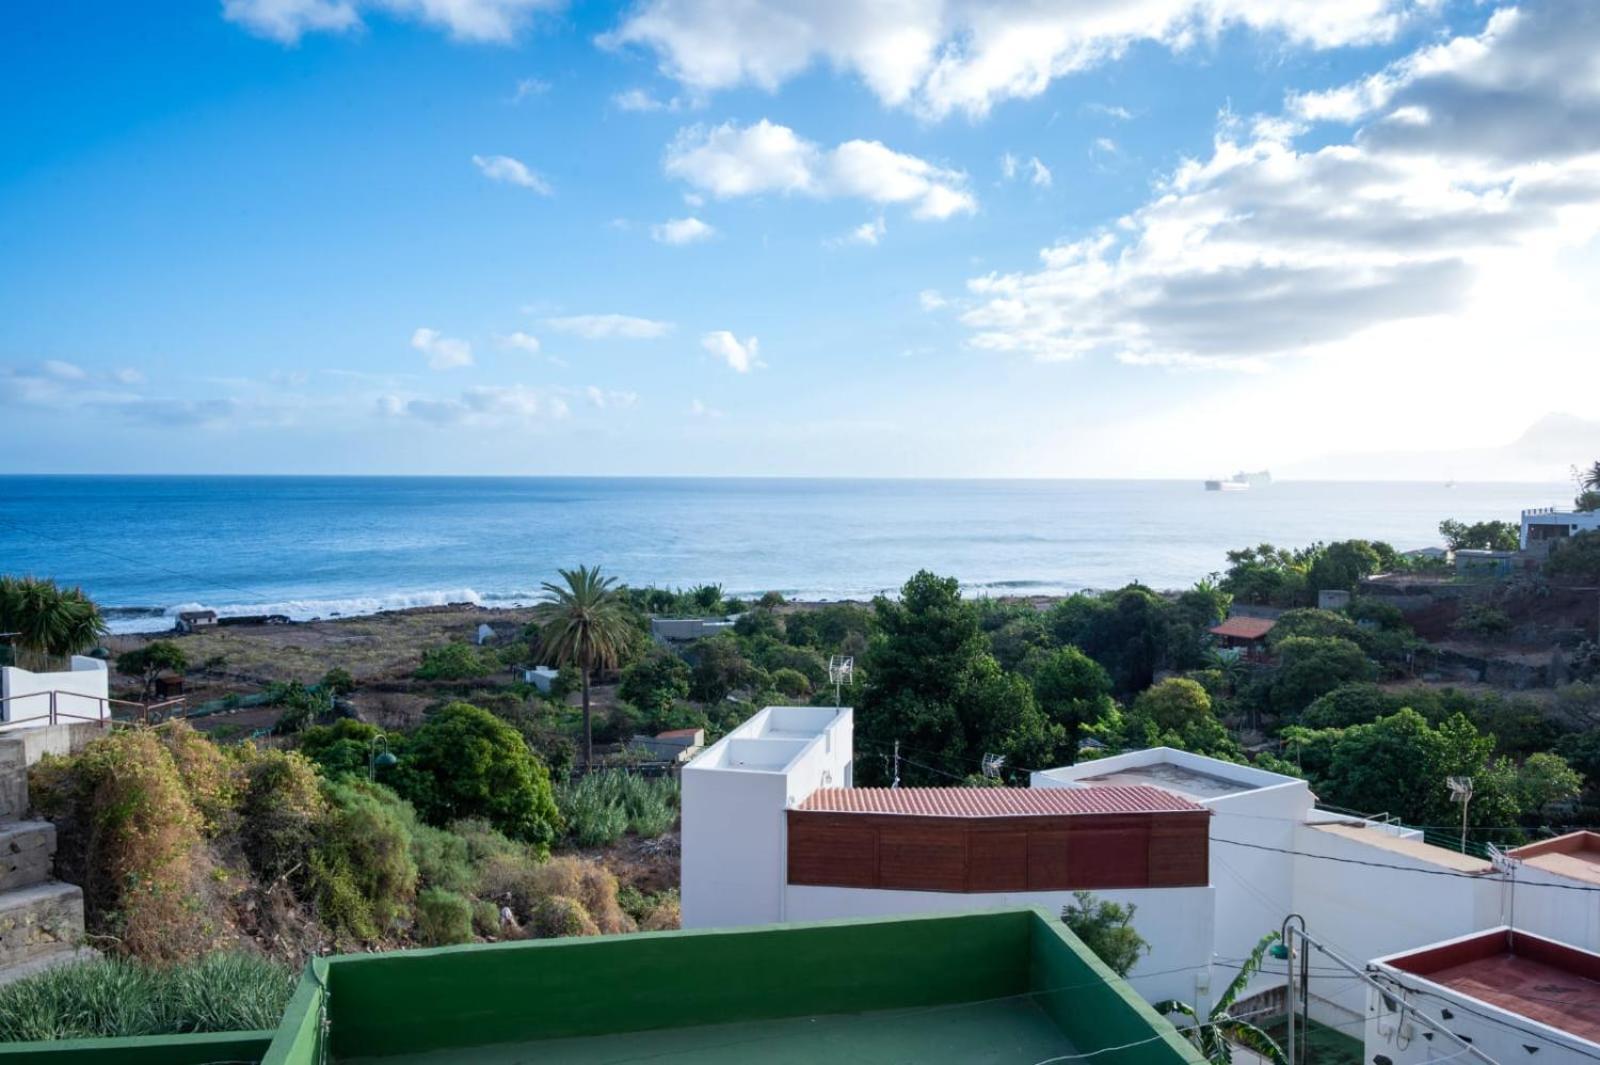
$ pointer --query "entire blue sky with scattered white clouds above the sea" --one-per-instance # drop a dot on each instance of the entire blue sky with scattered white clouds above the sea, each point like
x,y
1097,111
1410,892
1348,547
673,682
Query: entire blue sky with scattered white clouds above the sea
x,y
697,237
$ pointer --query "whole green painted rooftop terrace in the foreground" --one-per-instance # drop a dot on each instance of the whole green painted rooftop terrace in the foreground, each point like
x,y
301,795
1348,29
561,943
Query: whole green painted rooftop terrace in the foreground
x,y
1009,987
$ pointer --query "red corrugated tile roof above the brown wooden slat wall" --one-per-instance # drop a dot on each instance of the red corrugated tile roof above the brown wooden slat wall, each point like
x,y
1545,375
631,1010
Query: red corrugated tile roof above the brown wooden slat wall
x,y
999,802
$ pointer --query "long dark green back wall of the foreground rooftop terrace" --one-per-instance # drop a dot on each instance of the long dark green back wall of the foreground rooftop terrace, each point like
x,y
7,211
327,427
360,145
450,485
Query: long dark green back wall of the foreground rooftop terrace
x,y
534,991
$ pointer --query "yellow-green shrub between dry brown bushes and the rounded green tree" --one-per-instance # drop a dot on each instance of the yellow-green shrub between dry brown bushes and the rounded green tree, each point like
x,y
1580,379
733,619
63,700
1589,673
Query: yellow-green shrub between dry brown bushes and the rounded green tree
x,y
361,866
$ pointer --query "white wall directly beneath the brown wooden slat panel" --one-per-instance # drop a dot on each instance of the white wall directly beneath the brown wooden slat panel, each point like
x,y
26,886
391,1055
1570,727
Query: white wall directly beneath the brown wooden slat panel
x,y
1177,922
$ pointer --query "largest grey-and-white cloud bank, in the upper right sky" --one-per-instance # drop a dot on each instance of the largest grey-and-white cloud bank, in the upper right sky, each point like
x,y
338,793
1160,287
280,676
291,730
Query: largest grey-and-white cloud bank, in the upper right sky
x,y
1266,250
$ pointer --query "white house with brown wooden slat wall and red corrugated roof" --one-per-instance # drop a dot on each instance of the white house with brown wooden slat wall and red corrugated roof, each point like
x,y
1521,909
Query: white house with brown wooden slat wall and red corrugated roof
x,y
774,831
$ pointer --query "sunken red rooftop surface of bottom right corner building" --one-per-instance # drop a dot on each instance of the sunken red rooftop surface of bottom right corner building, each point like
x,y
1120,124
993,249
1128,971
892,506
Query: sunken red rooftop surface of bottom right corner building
x,y
1532,976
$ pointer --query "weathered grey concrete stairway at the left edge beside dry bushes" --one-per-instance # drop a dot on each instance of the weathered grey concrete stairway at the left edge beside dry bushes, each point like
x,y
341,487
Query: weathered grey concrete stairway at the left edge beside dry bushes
x,y
41,917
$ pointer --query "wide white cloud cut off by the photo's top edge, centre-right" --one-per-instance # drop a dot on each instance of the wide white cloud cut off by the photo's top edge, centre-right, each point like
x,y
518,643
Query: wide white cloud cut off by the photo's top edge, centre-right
x,y
940,57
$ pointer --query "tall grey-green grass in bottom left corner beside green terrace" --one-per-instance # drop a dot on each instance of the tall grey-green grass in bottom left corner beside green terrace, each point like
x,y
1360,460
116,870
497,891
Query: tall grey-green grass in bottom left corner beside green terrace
x,y
222,992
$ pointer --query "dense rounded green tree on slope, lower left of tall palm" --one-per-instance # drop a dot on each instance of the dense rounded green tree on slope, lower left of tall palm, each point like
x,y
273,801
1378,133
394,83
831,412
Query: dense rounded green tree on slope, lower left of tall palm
x,y
465,762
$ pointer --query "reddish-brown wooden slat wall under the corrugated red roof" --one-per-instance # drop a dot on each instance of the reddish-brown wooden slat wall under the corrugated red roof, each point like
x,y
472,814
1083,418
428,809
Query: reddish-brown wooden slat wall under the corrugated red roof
x,y
985,855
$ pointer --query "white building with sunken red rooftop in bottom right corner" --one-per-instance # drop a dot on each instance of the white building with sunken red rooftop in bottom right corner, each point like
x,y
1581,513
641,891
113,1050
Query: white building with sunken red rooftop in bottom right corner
x,y
1510,994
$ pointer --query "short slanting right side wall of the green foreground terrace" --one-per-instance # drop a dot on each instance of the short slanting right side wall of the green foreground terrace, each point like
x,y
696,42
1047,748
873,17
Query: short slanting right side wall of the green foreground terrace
x,y
1094,1007
